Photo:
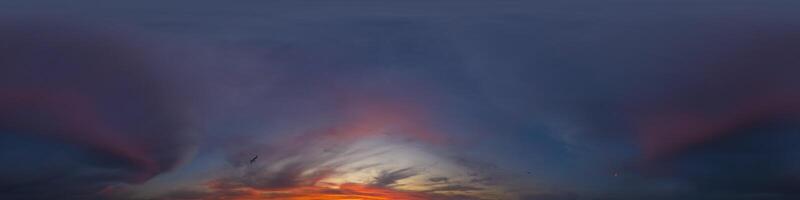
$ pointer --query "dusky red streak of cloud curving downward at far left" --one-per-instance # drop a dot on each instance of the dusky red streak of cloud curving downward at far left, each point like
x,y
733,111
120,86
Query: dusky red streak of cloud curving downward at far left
x,y
72,118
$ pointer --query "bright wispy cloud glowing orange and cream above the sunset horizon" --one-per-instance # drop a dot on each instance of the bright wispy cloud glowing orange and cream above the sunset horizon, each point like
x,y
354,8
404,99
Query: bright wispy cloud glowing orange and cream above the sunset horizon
x,y
343,162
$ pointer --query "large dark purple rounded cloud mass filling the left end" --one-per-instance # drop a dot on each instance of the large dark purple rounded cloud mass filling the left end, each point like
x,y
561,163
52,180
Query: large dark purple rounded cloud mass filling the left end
x,y
89,107
